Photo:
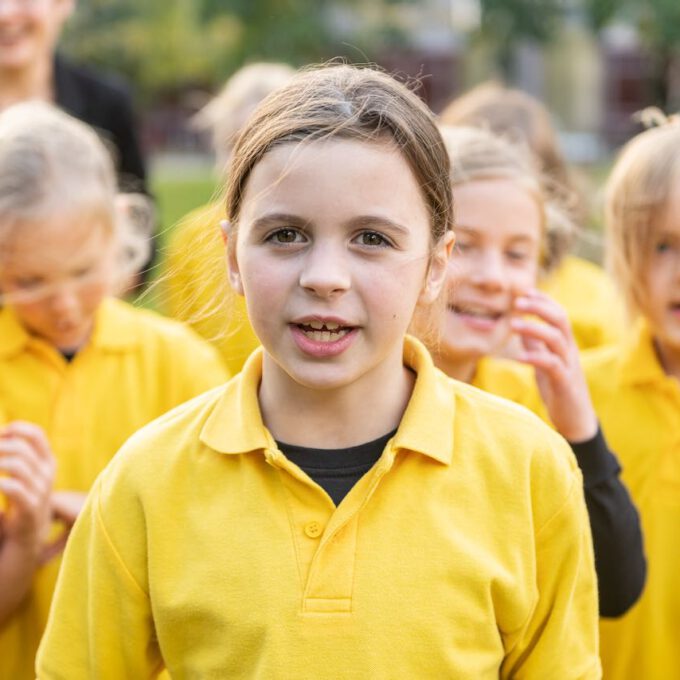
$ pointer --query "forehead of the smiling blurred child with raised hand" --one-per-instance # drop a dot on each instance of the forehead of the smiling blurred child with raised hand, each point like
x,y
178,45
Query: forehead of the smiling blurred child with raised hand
x,y
502,206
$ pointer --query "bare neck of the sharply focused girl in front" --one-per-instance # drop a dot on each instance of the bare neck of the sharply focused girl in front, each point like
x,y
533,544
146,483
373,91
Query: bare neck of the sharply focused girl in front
x,y
354,414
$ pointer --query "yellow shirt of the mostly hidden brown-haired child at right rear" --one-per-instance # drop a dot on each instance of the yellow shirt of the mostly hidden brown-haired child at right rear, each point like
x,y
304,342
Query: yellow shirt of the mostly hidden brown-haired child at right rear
x,y
590,300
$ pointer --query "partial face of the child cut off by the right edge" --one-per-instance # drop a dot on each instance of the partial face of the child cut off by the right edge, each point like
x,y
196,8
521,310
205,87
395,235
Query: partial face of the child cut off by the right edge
x,y
662,300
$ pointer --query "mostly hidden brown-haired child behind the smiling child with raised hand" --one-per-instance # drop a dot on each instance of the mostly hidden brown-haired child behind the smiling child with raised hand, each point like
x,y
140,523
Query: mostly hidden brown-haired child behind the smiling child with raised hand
x,y
582,288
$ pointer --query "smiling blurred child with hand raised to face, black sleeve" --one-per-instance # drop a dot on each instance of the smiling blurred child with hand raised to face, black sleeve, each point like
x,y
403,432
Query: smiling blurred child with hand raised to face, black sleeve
x,y
503,219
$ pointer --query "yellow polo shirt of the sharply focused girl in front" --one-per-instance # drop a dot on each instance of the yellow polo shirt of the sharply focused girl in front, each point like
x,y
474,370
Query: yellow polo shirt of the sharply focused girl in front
x,y
465,552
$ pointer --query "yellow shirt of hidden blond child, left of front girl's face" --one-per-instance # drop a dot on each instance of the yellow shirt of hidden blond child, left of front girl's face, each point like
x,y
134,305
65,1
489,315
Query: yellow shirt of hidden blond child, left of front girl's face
x,y
196,289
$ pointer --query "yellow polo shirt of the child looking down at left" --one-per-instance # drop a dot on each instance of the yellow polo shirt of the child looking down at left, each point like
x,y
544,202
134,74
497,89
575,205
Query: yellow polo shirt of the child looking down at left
x,y
136,366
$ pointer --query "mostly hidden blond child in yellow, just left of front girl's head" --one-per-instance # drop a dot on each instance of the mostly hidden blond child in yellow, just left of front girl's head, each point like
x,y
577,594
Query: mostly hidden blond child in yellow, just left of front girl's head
x,y
195,279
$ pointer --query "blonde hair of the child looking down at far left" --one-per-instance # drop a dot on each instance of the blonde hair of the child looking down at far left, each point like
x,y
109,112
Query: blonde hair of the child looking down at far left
x,y
53,165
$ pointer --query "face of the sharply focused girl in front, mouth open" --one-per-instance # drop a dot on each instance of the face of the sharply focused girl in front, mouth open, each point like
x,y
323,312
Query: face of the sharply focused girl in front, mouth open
x,y
332,254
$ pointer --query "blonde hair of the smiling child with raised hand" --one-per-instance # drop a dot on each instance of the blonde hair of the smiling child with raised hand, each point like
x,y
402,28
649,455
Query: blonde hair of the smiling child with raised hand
x,y
477,154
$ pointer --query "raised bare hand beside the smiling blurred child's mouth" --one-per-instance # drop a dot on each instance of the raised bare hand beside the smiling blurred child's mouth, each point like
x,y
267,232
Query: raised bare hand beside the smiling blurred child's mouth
x,y
549,346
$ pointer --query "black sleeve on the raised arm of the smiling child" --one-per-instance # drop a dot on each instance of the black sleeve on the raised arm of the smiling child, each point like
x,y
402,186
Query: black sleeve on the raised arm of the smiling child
x,y
617,536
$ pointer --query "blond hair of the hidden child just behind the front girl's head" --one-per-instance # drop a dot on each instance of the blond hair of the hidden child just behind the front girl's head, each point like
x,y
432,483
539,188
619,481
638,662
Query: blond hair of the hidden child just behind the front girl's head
x,y
225,114
